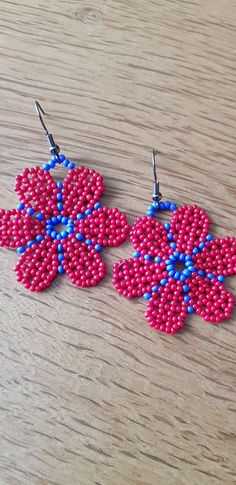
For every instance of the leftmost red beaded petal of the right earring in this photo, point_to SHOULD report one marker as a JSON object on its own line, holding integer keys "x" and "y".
{"x": 136, "y": 276}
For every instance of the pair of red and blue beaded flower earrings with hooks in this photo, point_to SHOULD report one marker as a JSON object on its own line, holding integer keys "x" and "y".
{"x": 61, "y": 227}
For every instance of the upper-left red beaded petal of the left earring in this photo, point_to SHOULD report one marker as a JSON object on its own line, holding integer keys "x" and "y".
{"x": 36, "y": 188}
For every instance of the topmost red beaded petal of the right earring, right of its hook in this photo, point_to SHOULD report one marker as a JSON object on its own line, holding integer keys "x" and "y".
{"x": 189, "y": 225}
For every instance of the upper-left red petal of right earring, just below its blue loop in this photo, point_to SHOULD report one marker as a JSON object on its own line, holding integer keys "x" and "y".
{"x": 149, "y": 236}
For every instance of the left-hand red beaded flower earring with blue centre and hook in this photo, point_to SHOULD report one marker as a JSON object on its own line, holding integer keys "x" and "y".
{"x": 60, "y": 226}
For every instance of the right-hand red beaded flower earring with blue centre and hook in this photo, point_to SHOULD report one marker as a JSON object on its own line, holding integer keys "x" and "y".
{"x": 177, "y": 267}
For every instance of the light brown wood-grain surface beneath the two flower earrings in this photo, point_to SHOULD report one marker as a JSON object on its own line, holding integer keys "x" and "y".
{"x": 89, "y": 394}
